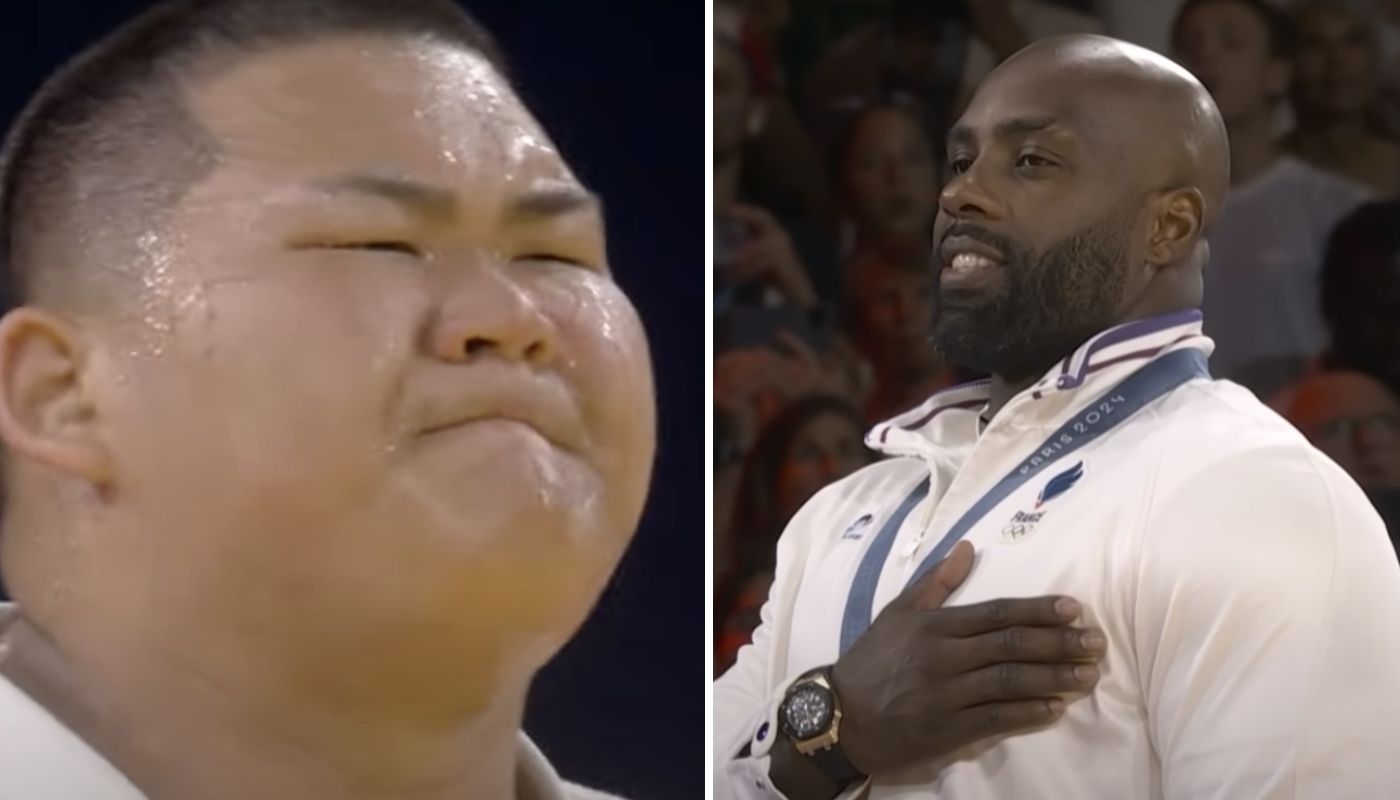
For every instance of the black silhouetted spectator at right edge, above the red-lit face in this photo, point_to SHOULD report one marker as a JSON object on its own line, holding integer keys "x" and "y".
{"x": 1361, "y": 294}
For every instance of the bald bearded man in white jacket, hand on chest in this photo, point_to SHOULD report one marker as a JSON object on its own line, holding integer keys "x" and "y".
{"x": 1101, "y": 574}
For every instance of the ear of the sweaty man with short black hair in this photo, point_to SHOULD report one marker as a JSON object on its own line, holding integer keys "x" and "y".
{"x": 47, "y": 413}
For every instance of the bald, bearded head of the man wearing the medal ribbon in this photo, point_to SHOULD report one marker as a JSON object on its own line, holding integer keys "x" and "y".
{"x": 1086, "y": 173}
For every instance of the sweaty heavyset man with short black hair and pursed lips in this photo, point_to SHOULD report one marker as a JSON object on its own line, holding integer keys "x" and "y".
{"x": 324, "y": 420}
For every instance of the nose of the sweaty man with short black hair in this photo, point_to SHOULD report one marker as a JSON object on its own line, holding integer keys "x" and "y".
{"x": 488, "y": 315}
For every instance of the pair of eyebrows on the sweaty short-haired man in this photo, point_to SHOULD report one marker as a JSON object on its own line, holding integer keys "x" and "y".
{"x": 541, "y": 201}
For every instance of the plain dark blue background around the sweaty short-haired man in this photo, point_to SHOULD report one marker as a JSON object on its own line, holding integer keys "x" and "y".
{"x": 621, "y": 88}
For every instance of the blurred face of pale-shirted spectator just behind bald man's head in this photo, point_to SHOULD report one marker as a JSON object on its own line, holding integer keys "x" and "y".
{"x": 1227, "y": 47}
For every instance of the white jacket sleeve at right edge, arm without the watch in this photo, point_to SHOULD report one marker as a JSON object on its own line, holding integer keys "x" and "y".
{"x": 1268, "y": 634}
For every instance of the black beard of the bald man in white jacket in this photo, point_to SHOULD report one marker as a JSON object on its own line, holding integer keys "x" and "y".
{"x": 1051, "y": 303}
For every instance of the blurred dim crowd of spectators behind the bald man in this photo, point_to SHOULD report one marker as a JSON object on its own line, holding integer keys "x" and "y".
{"x": 828, "y": 166}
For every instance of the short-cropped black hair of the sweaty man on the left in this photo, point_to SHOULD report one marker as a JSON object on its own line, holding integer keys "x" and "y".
{"x": 110, "y": 134}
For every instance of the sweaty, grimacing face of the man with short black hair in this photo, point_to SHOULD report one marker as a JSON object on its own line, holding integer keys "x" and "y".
{"x": 384, "y": 379}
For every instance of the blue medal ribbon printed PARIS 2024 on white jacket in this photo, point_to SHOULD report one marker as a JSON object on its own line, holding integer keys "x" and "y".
{"x": 1109, "y": 411}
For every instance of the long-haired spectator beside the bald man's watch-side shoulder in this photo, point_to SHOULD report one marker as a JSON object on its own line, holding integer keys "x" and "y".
{"x": 814, "y": 442}
